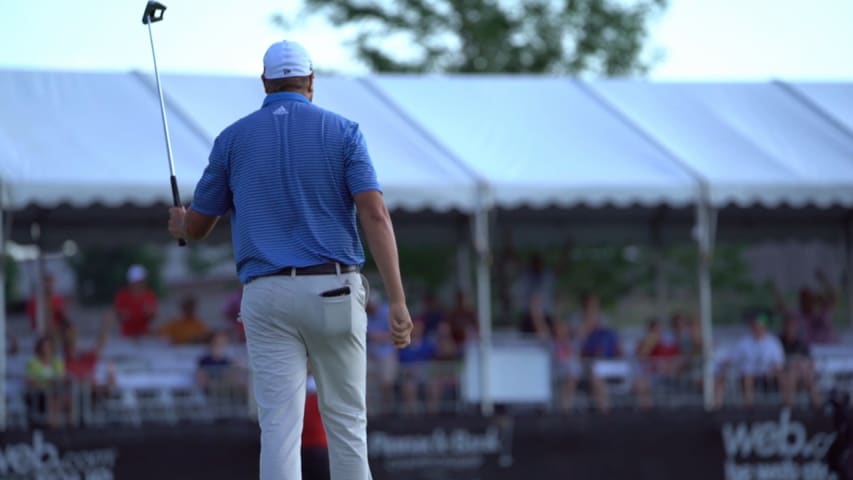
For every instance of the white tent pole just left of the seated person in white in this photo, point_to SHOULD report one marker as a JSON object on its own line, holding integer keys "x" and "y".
{"x": 705, "y": 232}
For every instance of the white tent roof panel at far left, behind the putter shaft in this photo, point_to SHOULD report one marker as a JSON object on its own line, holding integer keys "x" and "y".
{"x": 84, "y": 138}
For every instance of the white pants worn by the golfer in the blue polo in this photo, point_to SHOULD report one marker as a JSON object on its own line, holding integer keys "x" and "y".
{"x": 286, "y": 320}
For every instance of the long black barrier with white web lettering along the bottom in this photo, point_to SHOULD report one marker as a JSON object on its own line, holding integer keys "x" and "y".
{"x": 730, "y": 445}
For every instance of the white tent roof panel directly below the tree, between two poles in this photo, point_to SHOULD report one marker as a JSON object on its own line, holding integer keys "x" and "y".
{"x": 540, "y": 141}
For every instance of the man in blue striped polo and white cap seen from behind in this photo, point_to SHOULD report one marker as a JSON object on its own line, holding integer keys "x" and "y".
{"x": 293, "y": 177}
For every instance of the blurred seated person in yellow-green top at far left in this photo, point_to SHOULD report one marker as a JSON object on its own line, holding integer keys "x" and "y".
{"x": 48, "y": 399}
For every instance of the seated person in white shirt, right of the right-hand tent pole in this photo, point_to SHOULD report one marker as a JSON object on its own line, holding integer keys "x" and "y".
{"x": 757, "y": 359}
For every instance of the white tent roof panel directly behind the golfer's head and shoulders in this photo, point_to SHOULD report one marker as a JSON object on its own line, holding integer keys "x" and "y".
{"x": 414, "y": 172}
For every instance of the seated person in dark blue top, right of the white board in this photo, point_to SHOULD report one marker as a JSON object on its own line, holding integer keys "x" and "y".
{"x": 598, "y": 343}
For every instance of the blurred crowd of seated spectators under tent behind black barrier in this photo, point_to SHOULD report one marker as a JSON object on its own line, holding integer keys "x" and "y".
{"x": 137, "y": 368}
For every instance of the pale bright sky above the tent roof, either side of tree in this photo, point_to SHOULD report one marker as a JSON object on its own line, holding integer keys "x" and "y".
{"x": 697, "y": 39}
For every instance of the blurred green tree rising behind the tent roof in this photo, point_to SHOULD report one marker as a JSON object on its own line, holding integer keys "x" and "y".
{"x": 492, "y": 36}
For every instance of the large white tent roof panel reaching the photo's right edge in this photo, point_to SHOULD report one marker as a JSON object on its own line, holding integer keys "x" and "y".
{"x": 752, "y": 143}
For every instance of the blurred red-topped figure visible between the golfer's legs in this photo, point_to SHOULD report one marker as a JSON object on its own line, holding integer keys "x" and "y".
{"x": 315, "y": 446}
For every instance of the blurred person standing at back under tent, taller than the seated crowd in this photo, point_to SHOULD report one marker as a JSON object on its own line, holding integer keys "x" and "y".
{"x": 537, "y": 294}
